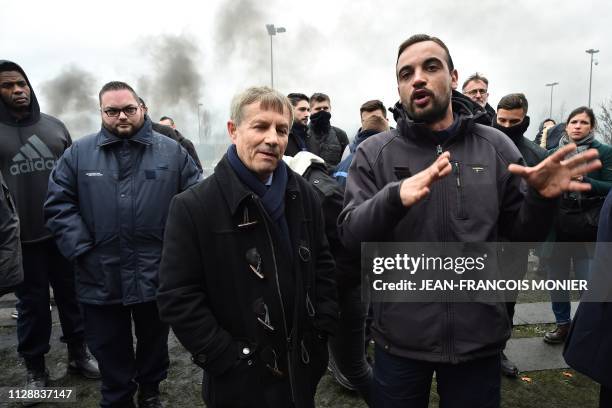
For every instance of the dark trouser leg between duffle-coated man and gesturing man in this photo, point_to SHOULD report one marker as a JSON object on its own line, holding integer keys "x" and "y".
{"x": 347, "y": 345}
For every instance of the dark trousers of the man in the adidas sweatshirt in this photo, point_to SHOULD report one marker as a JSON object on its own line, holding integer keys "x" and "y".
{"x": 43, "y": 265}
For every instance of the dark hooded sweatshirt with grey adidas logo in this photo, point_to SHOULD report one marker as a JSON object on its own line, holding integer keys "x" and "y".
{"x": 29, "y": 149}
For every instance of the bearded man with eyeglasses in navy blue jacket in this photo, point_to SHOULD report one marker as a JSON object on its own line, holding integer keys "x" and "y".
{"x": 106, "y": 205}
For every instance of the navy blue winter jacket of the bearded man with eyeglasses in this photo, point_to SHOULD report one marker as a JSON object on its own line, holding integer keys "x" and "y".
{"x": 107, "y": 204}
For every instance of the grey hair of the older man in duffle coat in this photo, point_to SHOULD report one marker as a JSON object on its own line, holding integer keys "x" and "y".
{"x": 268, "y": 98}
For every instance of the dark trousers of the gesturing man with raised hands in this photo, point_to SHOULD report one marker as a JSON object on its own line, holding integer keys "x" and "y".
{"x": 403, "y": 382}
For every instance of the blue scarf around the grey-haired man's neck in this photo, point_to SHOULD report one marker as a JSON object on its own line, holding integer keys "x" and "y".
{"x": 272, "y": 198}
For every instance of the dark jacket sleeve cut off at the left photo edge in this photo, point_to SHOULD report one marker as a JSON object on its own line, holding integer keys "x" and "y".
{"x": 11, "y": 272}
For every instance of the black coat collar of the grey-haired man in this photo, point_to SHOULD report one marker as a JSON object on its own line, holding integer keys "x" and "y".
{"x": 234, "y": 191}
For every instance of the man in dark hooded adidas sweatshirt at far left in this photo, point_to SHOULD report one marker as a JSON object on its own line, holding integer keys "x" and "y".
{"x": 31, "y": 144}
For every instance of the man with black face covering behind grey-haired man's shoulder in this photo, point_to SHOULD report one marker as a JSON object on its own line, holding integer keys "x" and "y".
{"x": 325, "y": 140}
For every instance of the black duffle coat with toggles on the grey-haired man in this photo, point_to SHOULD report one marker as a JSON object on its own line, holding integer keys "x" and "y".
{"x": 221, "y": 291}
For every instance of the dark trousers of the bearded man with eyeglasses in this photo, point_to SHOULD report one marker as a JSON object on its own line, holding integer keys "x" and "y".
{"x": 108, "y": 332}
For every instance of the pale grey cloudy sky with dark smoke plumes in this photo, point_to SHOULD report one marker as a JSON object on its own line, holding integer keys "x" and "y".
{"x": 346, "y": 49}
